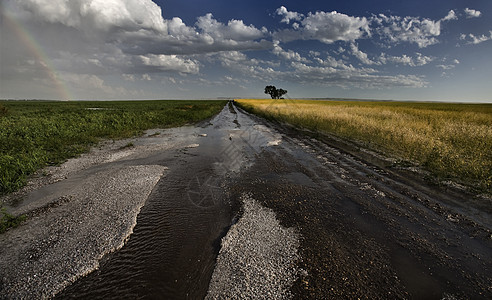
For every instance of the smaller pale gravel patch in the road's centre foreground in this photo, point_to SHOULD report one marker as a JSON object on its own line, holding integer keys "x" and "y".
{"x": 258, "y": 257}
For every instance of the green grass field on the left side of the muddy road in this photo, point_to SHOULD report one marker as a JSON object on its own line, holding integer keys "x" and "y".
{"x": 34, "y": 134}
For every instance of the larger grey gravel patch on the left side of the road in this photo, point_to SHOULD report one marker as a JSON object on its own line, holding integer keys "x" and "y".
{"x": 68, "y": 238}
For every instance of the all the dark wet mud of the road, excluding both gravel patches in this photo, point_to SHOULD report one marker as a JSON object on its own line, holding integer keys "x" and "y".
{"x": 365, "y": 229}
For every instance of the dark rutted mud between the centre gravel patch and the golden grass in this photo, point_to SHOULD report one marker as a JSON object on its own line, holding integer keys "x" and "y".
{"x": 369, "y": 231}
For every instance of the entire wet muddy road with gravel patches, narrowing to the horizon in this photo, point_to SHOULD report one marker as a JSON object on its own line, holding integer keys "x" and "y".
{"x": 238, "y": 207}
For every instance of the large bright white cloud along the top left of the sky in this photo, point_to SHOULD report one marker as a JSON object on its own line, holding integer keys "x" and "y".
{"x": 137, "y": 27}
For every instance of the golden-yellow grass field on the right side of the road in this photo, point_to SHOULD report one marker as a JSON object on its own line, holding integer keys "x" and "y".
{"x": 452, "y": 141}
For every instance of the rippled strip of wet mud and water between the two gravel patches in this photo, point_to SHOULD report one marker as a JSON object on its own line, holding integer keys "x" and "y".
{"x": 173, "y": 249}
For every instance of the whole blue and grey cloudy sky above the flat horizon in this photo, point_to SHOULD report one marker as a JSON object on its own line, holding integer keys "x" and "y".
{"x": 438, "y": 50}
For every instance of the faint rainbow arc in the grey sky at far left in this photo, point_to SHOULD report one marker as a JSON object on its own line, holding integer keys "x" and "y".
{"x": 35, "y": 48}
